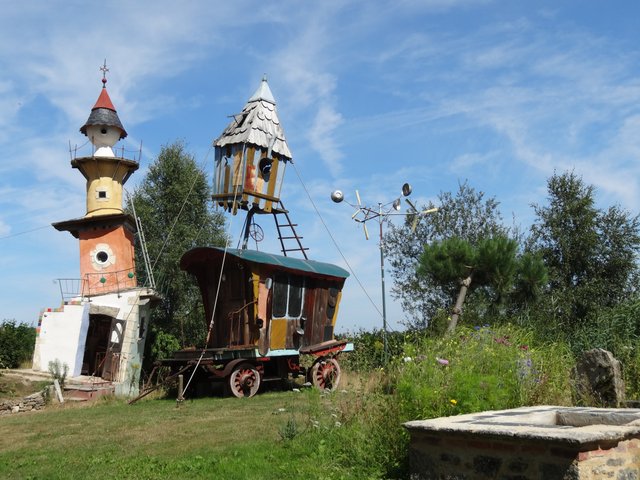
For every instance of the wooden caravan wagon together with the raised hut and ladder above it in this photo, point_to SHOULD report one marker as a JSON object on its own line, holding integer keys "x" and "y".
{"x": 262, "y": 311}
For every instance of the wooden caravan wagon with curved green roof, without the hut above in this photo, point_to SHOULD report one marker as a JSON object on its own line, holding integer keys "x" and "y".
{"x": 266, "y": 310}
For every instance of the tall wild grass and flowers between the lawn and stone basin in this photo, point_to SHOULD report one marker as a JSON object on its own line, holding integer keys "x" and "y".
{"x": 481, "y": 368}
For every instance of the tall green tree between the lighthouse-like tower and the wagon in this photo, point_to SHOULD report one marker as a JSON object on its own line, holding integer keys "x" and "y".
{"x": 174, "y": 204}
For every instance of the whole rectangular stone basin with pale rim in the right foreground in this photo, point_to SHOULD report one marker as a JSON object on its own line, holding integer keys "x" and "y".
{"x": 542, "y": 442}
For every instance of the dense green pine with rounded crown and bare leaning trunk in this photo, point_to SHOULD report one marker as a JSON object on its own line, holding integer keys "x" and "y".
{"x": 492, "y": 265}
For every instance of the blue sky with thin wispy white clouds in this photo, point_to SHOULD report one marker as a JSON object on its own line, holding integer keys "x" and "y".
{"x": 370, "y": 94}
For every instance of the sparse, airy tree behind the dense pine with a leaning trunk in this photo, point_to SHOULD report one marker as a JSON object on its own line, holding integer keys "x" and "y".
{"x": 467, "y": 215}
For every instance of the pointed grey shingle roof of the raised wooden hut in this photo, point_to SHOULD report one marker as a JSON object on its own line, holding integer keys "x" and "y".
{"x": 258, "y": 124}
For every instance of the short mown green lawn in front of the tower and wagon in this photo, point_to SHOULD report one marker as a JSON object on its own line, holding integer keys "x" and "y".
{"x": 203, "y": 438}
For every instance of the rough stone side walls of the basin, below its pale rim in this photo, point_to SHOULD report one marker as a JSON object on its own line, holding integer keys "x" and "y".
{"x": 456, "y": 457}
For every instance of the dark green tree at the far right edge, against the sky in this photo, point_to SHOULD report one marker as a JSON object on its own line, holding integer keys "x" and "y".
{"x": 590, "y": 253}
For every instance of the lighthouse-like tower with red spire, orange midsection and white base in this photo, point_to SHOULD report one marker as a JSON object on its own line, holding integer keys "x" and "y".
{"x": 101, "y": 327}
